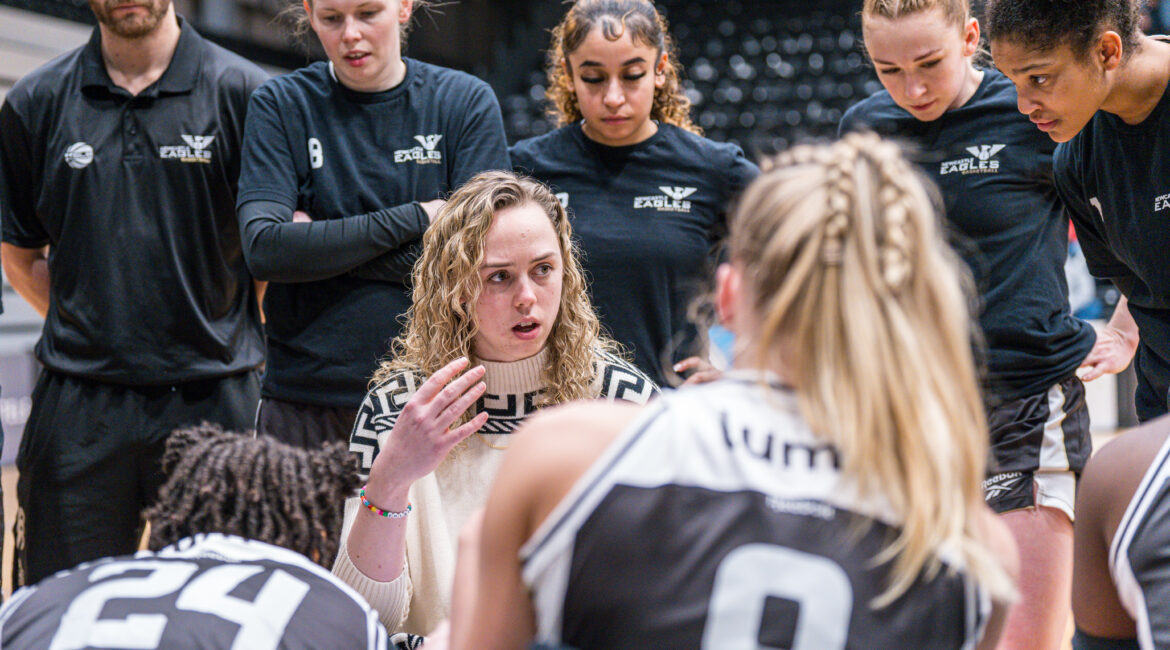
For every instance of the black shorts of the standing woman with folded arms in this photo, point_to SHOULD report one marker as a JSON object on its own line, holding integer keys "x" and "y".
{"x": 305, "y": 426}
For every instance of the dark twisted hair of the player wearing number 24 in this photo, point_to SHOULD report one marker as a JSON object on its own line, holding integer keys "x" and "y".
{"x": 258, "y": 488}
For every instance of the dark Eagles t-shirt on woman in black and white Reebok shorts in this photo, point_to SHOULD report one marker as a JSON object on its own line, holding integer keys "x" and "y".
{"x": 994, "y": 170}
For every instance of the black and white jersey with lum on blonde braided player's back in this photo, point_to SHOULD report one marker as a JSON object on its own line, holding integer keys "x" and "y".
{"x": 721, "y": 521}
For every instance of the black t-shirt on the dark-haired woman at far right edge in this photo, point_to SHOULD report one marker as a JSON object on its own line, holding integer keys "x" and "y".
{"x": 1116, "y": 182}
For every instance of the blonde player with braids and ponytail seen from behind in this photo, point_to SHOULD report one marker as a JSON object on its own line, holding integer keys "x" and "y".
{"x": 818, "y": 496}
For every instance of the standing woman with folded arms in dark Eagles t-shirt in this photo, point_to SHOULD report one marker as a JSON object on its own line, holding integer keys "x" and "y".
{"x": 345, "y": 165}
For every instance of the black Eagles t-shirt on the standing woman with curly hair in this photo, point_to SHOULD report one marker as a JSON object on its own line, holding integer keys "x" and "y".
{"x": 648, "y": 218}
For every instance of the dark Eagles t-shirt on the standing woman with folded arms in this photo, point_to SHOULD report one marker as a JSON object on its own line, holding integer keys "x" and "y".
{"x": 313, "y": 144}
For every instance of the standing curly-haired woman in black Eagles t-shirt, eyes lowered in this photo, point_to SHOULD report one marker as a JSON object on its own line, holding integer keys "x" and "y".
{"x": 648, "y": 193}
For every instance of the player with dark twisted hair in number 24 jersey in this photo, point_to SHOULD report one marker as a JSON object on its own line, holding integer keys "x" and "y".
{"x": 233, "y": 534}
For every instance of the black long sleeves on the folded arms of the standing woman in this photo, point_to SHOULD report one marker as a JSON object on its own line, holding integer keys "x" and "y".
{"x": 279, "y": 250}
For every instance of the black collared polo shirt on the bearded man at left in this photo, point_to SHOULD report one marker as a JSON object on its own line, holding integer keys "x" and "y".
{"x": 136, "y": 198}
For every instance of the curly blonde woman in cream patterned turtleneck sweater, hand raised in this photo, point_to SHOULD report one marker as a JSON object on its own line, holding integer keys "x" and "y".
{"x": 498, "y": 291}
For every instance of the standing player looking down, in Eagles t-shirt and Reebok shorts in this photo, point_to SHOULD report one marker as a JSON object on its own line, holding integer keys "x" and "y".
{"x": 994, "y": 171}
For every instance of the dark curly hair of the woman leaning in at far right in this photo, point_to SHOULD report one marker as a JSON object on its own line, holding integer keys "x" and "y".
{"x": 1045, "y": 25}
